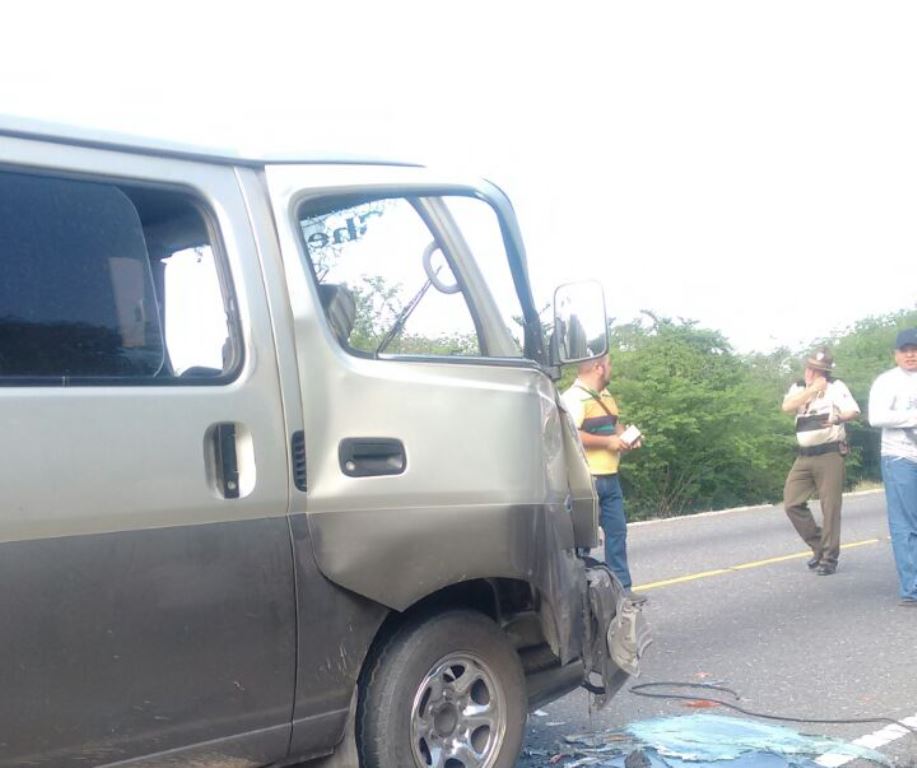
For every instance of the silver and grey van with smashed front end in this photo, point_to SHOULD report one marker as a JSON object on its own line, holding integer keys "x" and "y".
{"x": 285, "y": 475}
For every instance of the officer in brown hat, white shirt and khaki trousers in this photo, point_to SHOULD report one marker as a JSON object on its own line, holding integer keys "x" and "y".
{"x": 822, "y": 404}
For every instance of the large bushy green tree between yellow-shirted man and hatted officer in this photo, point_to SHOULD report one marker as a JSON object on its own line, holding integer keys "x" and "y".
{"x": 714, "y": 435}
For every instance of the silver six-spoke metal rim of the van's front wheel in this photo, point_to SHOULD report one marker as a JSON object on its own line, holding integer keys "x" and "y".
{"x": 458, "y": 719}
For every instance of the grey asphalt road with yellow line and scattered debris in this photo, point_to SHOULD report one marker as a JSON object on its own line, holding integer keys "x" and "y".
{"x": 732, "y": 602}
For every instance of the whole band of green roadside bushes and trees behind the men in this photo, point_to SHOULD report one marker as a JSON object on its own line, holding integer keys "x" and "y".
{"x": 715, "y": 435}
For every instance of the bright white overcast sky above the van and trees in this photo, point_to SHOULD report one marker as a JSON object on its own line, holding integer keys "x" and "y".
{"x": 748, "y": 165}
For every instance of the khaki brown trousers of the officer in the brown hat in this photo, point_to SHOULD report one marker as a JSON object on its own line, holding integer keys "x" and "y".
{"x": 824, "y": 474}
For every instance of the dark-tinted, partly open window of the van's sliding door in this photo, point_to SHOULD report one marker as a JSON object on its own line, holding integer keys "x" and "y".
{"x": 106, "y": 283}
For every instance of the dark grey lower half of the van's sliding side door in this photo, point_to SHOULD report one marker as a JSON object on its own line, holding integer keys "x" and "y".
{"x": 122, "y": 645}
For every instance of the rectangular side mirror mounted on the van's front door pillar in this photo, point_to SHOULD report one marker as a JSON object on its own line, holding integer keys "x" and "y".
{"x": 580, "y": 325}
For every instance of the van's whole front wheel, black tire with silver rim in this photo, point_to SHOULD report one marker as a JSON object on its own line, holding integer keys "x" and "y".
{"x": 445, "y": 691}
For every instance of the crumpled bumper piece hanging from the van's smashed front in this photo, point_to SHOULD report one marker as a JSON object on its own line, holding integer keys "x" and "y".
{"x": 617, "y": 634}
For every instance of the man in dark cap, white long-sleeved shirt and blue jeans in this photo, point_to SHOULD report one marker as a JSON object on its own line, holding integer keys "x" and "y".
{"x": 893, "y": 406}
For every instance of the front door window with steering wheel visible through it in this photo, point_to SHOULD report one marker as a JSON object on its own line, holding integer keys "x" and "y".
{"x": 393, "y": 278}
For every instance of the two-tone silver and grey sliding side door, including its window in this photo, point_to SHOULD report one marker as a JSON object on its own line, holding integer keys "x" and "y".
{"x": 144, "y": 546}
